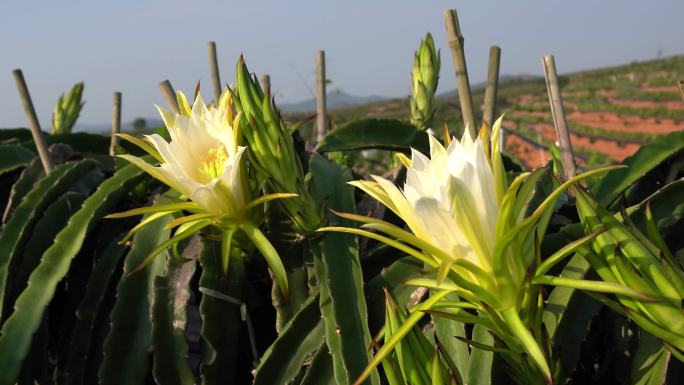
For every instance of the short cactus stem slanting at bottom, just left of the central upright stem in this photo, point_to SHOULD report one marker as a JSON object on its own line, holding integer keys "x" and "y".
{"x": 301, "y": 336}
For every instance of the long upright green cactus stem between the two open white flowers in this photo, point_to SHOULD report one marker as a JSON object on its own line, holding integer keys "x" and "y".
{"x": 338, "y": 271}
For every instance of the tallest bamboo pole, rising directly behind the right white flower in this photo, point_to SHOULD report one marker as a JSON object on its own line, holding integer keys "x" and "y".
{"x": 455, "y": 39}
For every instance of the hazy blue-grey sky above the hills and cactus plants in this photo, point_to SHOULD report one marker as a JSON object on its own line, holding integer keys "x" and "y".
{"x": 130, "y": 46}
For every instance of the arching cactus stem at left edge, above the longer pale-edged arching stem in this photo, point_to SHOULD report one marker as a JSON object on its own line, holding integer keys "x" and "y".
{"x": 18, "y": 229}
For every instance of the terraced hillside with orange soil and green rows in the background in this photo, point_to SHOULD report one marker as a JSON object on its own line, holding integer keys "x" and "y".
{"x": 610, "y": 111}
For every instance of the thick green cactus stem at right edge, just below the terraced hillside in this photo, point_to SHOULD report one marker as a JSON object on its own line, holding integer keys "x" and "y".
{"x": 639, "y": 164}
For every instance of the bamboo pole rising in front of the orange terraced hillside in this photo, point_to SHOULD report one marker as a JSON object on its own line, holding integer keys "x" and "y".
{"x": 558, "y": 113}
